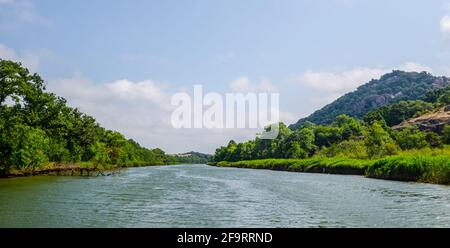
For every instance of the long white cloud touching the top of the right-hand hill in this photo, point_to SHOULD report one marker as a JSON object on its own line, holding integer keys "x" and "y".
{"x": 344, "y": 81}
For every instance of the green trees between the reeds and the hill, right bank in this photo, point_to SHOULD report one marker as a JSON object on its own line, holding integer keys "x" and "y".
{"x": 346, "y": 137}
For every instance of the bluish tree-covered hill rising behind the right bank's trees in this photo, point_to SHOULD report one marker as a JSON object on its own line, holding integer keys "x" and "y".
{"x": 391, "y": 88}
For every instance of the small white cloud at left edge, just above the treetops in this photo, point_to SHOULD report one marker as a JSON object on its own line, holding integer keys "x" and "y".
{"x": 28, "y": 59}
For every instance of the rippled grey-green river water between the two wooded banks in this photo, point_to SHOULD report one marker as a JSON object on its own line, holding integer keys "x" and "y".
{"x": 204, "y": 196}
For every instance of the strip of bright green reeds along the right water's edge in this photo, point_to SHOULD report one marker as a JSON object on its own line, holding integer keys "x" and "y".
{"x": 415, "y": 168}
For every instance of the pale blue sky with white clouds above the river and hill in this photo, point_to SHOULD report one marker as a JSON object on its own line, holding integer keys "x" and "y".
{"x": 121, "y": 61}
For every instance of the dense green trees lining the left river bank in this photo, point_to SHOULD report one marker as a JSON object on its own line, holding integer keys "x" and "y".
{"x": 37, "y": 127}
